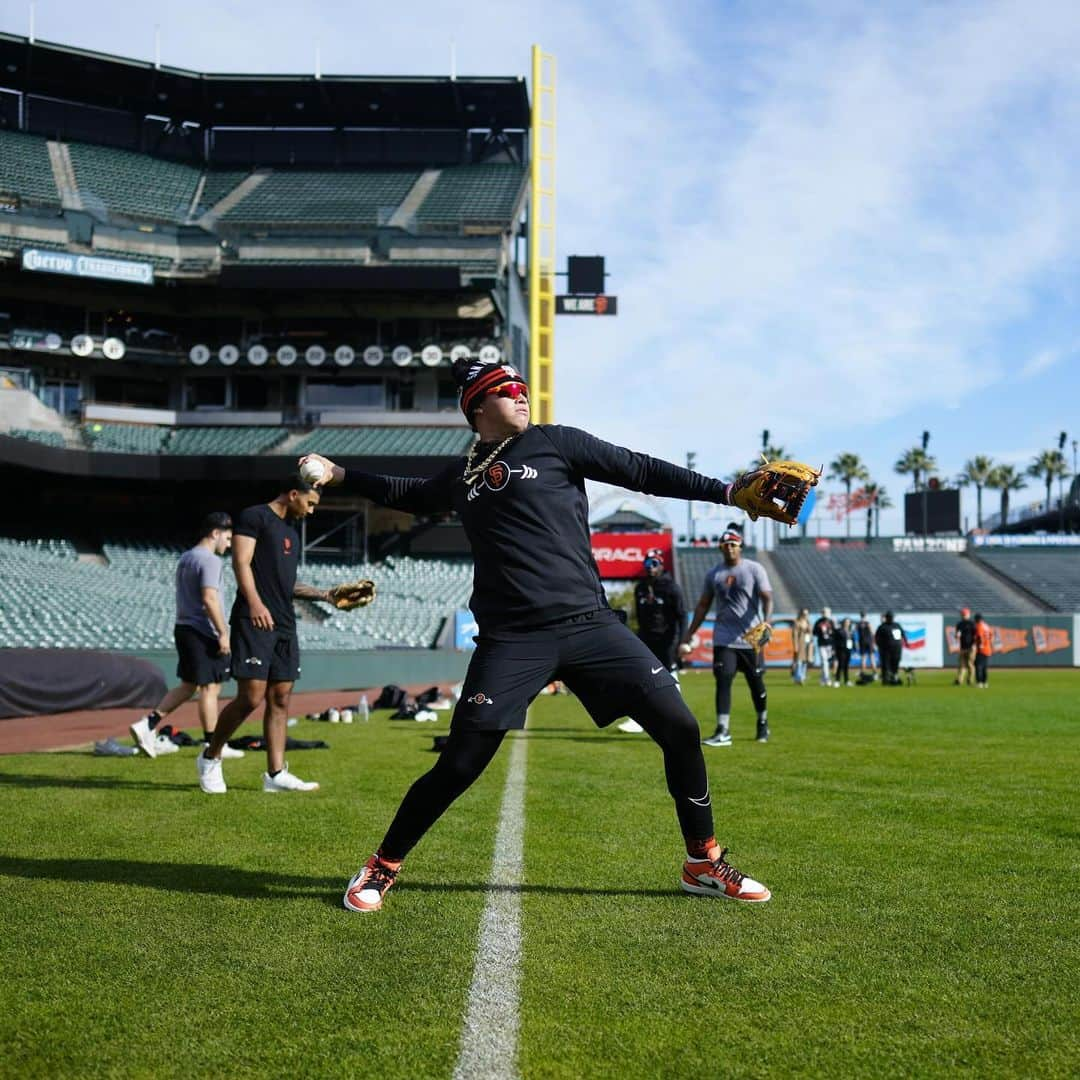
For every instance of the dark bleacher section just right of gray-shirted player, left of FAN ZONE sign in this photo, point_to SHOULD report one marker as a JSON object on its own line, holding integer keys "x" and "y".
{"x": 879, "y": 582}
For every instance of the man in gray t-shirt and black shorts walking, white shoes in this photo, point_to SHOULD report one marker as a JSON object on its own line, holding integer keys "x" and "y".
{"x": 201, "y": 637}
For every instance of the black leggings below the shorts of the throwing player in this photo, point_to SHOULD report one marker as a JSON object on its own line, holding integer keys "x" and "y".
{"x": 665, "y": 717}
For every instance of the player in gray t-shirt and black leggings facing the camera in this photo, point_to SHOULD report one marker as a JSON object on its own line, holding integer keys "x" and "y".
{"x": 744, "y": 598}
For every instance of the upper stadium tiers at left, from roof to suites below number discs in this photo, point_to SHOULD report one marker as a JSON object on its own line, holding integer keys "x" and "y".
{"x": 185, "y": 249}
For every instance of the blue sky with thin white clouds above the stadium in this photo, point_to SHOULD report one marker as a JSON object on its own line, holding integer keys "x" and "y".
{"x": 844, "y": 223}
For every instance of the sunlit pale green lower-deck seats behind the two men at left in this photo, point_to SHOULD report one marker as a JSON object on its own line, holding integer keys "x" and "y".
{"x": 50, "y": 600}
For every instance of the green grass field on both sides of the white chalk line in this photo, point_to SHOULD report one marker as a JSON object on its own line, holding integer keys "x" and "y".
{"x": 921, "y": 844}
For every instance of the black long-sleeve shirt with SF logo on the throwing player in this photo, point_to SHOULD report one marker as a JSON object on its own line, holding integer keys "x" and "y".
{"x": 528, "y": 519}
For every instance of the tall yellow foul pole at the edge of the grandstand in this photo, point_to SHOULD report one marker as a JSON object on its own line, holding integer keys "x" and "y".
{"x": 543, "y": 239}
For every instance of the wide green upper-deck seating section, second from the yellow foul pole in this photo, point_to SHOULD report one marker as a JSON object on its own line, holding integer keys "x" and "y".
{"x": 307, "y": 198}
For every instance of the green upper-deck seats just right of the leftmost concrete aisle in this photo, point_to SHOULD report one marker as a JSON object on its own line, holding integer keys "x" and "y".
{"x": 134, "y": 184}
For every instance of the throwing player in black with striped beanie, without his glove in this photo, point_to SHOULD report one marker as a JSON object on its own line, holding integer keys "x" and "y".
{"x": 543, "y": 616}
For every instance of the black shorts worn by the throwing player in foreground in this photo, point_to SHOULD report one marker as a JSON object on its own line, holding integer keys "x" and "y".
{"x": 597, "y": 656}
